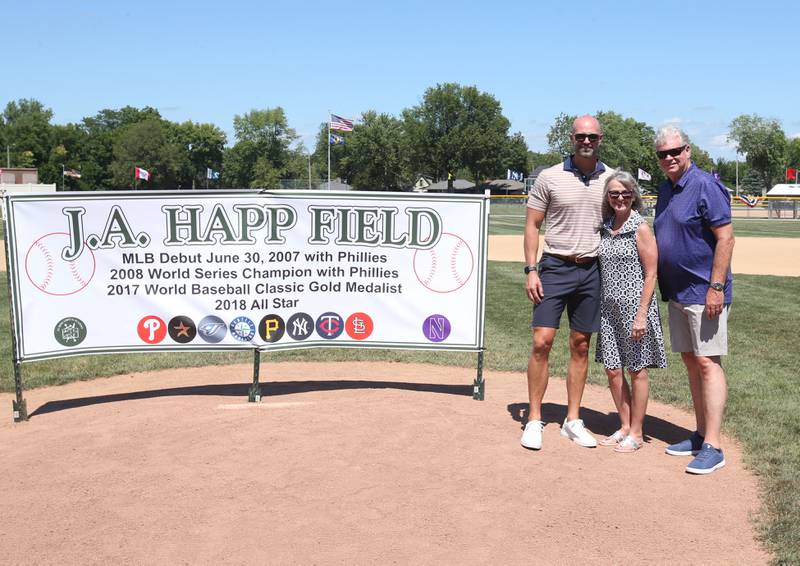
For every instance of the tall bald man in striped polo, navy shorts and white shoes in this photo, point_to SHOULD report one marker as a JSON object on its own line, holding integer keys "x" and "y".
{"x": 568, "y": 197}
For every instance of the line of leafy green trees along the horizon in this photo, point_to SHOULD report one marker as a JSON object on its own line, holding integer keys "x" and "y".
{"x": 455, "y": 131}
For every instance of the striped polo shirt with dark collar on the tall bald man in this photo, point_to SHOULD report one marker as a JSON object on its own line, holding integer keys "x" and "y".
{"x": 572, "y": 206}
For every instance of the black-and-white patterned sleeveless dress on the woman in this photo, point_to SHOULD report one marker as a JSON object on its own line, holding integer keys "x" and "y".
{"x": 622, "y": 277}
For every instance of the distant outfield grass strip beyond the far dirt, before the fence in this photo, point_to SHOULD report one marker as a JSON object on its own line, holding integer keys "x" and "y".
{"x": 507, "y": 218}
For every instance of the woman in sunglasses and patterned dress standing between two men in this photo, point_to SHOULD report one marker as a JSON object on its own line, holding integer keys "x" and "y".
{"x": 630, "y": 328}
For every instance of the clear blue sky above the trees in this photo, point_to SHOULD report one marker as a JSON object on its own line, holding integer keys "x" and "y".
{"x": 698, "y": 63}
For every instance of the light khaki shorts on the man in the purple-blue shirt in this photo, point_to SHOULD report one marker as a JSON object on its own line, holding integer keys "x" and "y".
{"x": 690, "y": 330}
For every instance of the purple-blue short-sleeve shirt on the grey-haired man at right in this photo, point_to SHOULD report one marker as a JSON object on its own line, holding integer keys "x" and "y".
{"x": 685, "y": 213}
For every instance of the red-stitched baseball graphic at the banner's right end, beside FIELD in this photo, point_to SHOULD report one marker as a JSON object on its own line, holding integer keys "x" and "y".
{"x": 447, "y": 266}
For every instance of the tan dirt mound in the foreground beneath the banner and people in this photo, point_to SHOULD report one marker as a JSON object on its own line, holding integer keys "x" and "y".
{"x": 350, "y": 463}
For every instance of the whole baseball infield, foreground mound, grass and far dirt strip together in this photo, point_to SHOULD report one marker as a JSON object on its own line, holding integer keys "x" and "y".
{"x": 361, "y": 457}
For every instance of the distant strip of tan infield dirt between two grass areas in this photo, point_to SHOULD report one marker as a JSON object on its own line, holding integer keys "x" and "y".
{"x": 753, "y": 256}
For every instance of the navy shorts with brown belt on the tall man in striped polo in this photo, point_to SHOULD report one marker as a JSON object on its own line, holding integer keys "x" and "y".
{"x": 566, "y": 284}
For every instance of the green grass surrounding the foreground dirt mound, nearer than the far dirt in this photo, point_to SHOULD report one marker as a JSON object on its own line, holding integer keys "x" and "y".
{"x": 764, "y": 397}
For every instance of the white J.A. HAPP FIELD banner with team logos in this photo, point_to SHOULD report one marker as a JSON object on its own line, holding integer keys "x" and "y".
{"x": 120, "y": 271}
